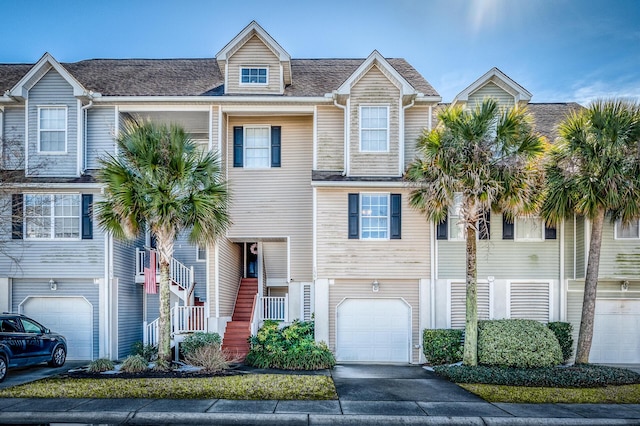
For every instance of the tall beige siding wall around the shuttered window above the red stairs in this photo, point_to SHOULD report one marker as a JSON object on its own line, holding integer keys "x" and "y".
{"x": 276, "y": 202}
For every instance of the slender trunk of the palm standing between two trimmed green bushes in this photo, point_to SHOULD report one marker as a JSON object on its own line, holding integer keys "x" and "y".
{"x": 470, "y": 355}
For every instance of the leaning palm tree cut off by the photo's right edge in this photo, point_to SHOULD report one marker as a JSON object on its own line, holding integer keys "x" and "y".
{"x": 593, "y": 171}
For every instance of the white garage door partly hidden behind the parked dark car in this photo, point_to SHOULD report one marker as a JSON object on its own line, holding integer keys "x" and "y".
{"x": 70, "y": 316}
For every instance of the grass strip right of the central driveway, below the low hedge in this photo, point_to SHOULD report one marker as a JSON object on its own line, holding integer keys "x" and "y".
{"x": 624, "y": 394}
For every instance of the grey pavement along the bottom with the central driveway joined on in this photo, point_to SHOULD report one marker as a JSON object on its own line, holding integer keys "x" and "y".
{"x": 368, "y": 395}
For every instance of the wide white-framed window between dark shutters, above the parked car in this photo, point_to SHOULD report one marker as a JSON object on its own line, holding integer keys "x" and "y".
{"x": 52, "y": 216}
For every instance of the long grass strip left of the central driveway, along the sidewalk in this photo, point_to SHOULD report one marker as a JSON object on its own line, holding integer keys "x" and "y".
{"x": 254, "y": 386}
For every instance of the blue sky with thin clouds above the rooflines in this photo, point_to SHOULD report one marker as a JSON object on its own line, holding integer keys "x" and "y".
{"x": 559, "y": 50}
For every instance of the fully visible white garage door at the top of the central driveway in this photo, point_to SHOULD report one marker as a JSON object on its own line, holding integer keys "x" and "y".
{"x": 373, "y": 330}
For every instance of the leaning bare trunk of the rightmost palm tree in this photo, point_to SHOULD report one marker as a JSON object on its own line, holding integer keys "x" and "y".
{"x": 585, "y": 335}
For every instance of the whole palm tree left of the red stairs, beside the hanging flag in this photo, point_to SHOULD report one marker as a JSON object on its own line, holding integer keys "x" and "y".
{"x": 161, "y": 181}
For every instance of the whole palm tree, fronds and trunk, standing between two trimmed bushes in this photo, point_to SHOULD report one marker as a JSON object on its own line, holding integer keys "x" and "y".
{"x": 486, "y": 158}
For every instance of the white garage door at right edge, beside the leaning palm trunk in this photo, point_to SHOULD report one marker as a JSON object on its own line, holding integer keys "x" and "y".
{"x": 616, "y": 332}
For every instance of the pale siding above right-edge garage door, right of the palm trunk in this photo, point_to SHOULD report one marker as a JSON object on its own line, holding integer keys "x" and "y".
{"x": 618, "y": 258}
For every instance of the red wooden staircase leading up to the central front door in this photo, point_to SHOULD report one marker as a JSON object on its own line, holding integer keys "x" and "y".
{"x": 239, "y": 328}
